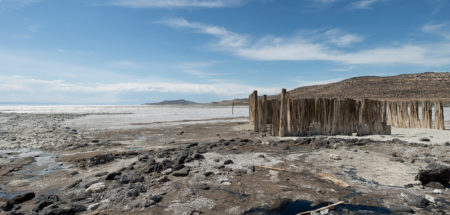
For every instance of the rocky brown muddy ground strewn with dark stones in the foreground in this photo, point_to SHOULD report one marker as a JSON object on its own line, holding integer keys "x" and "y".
{"x": 48, "y": 167}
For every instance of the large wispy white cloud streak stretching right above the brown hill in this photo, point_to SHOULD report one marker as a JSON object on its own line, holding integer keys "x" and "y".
{"x": 322, "y": 47}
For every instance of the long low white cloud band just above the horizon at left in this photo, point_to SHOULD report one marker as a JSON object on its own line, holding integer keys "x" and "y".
{"x": 31, "y": 86}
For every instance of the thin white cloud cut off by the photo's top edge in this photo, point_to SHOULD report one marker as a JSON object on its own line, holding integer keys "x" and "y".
{"x": 176, "y": 3}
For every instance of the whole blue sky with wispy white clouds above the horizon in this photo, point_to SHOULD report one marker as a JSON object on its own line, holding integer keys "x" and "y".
{"x": 138, "y": 51}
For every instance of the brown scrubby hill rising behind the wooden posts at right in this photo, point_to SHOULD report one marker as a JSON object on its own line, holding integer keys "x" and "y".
{"x": 427, "y": 85}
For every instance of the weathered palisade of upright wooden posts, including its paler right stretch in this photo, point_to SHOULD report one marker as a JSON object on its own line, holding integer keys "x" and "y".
{"x": 322, "y": 116}
